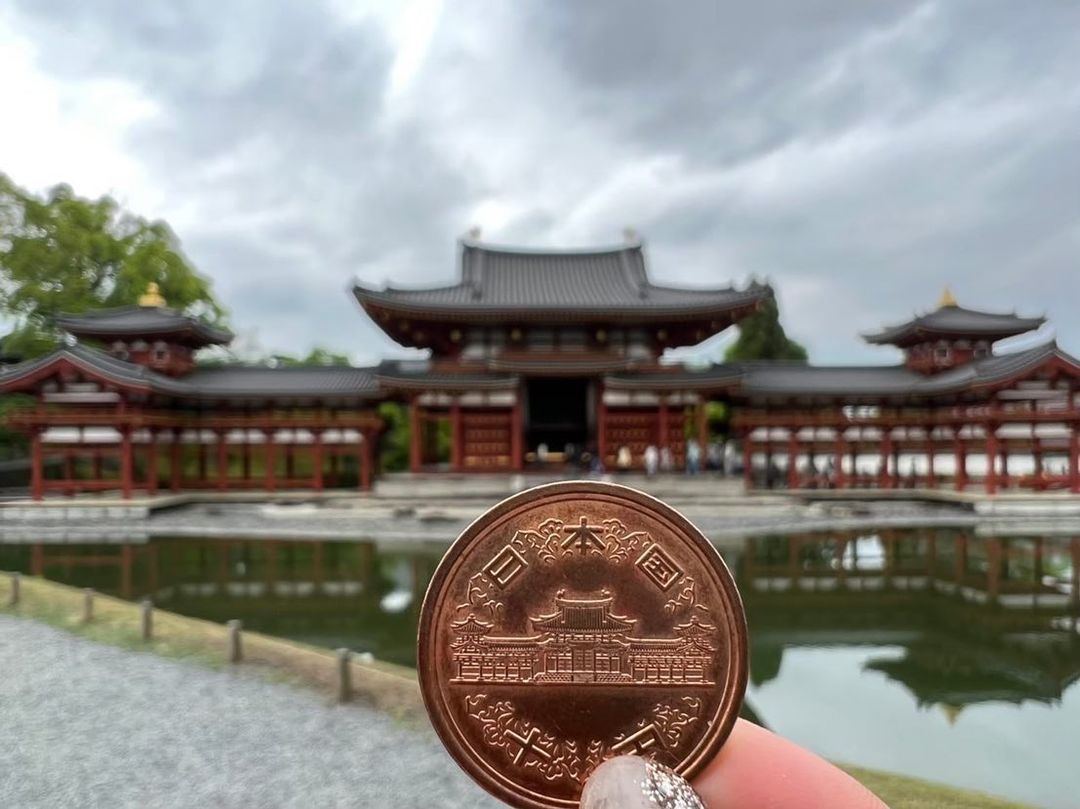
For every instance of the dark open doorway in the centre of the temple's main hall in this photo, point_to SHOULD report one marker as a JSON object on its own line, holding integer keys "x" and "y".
{"x": 558, "y": 417}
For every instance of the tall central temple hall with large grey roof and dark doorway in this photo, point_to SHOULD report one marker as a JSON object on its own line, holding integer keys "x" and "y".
{"x": 536, "y": 355}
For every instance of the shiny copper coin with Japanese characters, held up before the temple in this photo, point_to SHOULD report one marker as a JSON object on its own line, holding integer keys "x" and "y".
{"x": 575, "y": 623}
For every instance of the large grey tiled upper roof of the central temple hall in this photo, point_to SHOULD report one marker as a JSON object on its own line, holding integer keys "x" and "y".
{"x": 559, "y": 282}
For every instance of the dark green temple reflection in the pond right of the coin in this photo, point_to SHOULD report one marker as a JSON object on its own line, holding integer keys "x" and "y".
{"x": 974, "y": 619}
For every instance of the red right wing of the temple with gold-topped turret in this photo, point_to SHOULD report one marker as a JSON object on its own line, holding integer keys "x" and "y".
{"x": 953, "y": 397}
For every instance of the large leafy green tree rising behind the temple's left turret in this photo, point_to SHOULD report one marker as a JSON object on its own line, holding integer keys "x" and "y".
{"x": 63, "y": 253}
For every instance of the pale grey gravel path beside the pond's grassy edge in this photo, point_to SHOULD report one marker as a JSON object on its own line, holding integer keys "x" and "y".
{"x": 86, "y": 726}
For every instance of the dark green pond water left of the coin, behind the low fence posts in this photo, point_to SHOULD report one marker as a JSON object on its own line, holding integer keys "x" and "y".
{"x": 331, "y": 594}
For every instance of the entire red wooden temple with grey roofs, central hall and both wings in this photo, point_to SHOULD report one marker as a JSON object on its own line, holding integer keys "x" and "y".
{"x": 536, "y": 358}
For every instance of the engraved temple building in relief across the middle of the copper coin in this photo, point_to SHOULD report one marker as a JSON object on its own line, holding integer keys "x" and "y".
{"x": 583, "y": 641}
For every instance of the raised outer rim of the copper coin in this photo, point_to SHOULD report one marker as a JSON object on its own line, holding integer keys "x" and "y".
{"x": 727, "y": 712}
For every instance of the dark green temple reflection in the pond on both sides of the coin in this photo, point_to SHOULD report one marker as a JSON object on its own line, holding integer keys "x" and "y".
{"x": 966, "y": 618}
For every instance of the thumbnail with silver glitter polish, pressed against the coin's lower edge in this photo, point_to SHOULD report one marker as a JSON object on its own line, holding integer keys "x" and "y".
{"x": 631, "y": 783}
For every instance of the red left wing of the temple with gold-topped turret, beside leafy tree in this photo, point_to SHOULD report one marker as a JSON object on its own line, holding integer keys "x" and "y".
{"x": 137, "y": 413}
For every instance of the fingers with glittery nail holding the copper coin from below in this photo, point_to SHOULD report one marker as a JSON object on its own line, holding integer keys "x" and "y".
{"x": 755, "y": 770}
